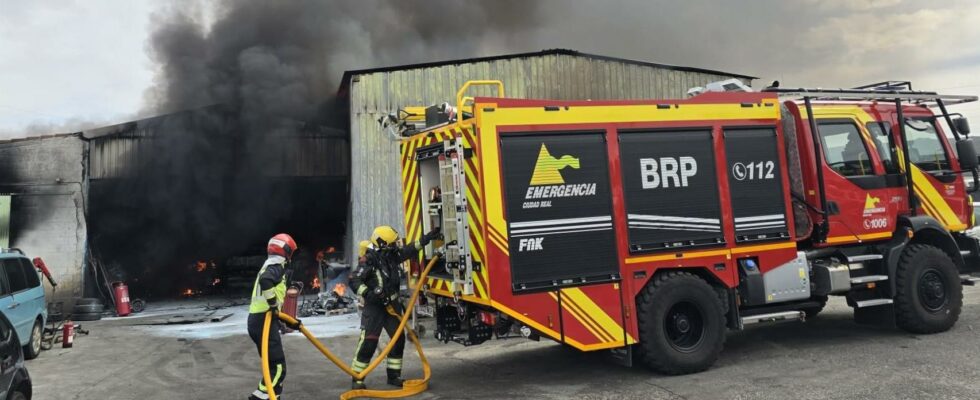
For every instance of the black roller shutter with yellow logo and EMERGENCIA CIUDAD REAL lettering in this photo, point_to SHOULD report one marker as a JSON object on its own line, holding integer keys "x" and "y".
{"x": 559, "y": 210}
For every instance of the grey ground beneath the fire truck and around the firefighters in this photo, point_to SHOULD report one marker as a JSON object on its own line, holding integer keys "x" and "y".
{"x": 828, "y": 357}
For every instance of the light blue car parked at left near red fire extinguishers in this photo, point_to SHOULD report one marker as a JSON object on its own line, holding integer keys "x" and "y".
{"x": 22, "y": 299}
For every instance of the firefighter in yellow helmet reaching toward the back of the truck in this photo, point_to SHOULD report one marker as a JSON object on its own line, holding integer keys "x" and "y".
{"x": 377, "y": 279}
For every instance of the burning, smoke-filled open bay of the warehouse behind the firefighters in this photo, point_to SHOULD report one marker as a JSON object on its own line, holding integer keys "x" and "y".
{"x": 183, "y": 204}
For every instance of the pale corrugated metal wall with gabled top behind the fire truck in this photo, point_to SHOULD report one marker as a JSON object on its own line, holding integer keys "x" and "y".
{"x": 375, "y": 185}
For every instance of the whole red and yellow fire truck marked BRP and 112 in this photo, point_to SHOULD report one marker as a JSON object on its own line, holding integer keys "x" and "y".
{"x": 651, "y": 228}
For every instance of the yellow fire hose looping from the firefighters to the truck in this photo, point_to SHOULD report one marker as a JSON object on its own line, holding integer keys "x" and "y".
{"x": 411, "y": 386}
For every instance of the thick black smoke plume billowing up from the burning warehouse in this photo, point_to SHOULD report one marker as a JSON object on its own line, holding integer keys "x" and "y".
{"x": 244, "y": 95}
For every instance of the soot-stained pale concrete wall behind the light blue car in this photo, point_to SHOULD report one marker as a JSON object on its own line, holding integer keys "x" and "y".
{"x": 46, "y": 180}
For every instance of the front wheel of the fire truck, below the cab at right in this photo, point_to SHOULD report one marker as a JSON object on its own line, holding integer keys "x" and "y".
{"x": 929, "y": 294}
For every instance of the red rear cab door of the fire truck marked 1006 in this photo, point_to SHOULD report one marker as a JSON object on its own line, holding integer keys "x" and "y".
{"x": 861, "y": 193}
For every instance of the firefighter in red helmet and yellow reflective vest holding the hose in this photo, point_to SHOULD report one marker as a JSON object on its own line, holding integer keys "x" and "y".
{"x": 268, "y": 294}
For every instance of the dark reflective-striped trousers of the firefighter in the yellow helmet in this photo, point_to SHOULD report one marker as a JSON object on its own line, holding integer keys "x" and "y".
{"x": 374, "y": 318}
